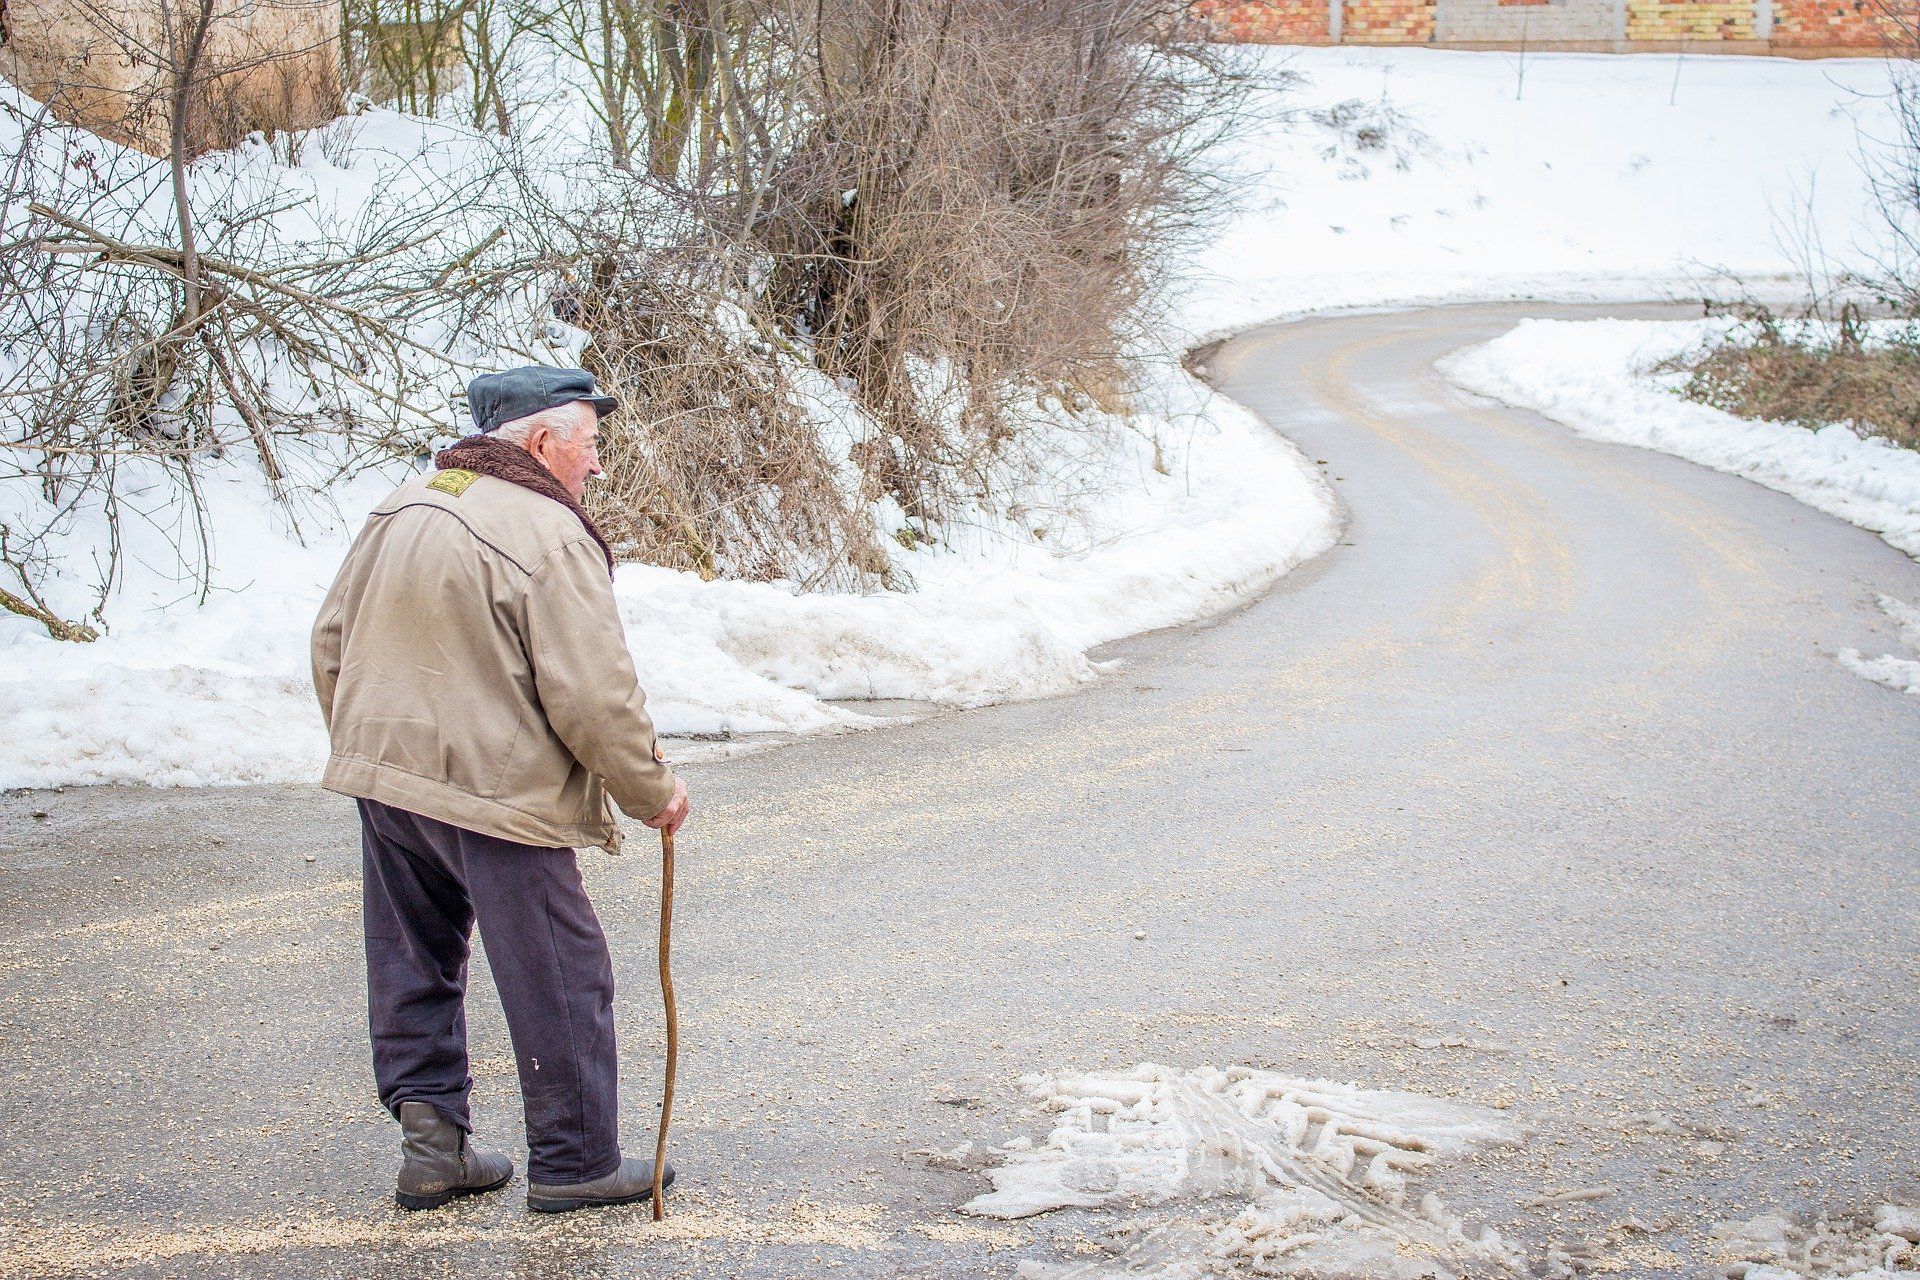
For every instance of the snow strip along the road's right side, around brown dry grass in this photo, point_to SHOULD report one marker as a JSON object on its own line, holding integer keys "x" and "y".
{"x": 1593, "y": 375}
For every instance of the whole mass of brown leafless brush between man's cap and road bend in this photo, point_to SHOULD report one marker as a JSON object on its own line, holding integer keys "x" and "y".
{"x": 948, "y": 206}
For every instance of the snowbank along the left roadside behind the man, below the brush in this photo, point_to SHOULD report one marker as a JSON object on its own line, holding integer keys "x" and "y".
{"x": 189, "y": 696}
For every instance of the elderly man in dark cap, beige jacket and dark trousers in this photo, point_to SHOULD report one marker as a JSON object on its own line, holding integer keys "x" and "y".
{"x": 483, "y": 709}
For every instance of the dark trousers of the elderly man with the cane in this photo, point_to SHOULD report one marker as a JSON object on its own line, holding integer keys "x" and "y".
{"x": 427, "y": 884}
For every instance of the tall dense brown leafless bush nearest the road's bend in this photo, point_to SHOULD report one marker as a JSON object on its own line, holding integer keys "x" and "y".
{"x": 986, "y": 189}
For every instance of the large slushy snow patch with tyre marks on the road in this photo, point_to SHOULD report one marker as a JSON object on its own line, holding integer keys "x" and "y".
{"x": 1274, "y": 1175}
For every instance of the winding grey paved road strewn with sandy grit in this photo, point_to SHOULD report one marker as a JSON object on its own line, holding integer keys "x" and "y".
{"x": 1548, "y": 757}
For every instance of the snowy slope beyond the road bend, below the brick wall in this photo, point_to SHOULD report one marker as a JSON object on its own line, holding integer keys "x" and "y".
{"x": 1401, "y": 178}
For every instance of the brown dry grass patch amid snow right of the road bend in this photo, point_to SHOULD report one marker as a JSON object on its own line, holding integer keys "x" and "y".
{"x": 1810, "y": 375}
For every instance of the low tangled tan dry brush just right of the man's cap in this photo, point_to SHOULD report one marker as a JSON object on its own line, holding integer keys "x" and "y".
{"x": 719, "y": 462}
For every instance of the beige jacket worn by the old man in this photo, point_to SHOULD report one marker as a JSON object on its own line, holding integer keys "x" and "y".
{"x": 471, "y": 667}
